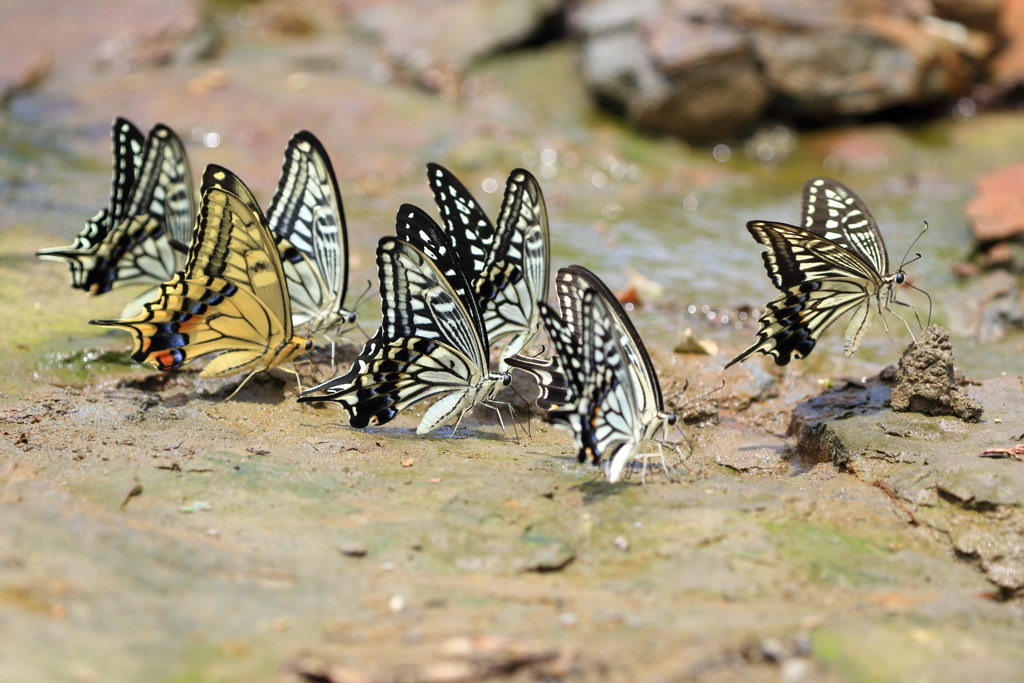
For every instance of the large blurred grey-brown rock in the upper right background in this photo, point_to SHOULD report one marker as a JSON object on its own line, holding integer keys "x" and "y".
{"x": 706, "y": 71}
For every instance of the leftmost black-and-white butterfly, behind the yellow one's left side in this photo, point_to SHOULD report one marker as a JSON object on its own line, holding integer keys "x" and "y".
{"x": 143, "y": 236}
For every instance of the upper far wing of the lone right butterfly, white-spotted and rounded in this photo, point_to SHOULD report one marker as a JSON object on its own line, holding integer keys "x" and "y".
{"x": 834, "y": 211}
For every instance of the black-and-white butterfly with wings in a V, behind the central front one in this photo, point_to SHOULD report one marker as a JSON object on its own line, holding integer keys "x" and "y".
{"x": 508, "y": 264}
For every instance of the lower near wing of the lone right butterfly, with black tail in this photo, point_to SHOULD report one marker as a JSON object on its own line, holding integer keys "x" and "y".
{"x": 820, "y": 281}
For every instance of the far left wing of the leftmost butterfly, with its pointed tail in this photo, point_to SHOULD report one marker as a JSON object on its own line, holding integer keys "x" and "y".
{"x": 127, "y": 143}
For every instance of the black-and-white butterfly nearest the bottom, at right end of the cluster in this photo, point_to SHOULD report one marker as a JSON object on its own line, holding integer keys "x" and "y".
{"x": 602, "y": 385}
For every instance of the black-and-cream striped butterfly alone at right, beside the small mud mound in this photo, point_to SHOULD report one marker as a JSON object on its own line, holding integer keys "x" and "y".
{"x": 835, "y": 264}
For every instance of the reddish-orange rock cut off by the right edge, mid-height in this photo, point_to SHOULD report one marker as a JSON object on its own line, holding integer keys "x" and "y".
{"x": 998, "y": 212}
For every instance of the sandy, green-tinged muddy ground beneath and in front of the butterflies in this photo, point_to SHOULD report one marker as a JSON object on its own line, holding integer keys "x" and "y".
{"x": 152, "y": 533}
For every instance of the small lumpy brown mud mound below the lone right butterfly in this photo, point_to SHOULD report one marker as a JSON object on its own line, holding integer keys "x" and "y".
{"x": 925, "y": 380}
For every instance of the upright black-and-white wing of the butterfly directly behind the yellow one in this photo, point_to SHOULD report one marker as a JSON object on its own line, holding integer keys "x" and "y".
{"x": 308, "y": 218}
